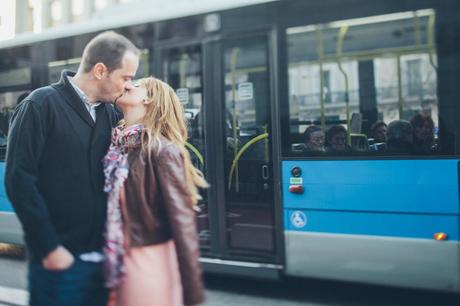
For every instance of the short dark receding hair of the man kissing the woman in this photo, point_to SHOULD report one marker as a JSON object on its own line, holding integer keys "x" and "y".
{"x": 108, "y": 48}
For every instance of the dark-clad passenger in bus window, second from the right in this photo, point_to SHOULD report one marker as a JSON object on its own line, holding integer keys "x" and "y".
{"x": 400, "y": 139}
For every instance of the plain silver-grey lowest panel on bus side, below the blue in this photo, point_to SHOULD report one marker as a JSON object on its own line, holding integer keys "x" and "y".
{"x": 417, "y": 263}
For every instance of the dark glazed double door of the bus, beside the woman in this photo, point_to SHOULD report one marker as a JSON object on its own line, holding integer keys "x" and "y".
{"x": 224, "y": 87}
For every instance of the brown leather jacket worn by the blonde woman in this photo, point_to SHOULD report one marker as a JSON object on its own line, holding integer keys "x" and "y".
{"x": 158, "y": 208}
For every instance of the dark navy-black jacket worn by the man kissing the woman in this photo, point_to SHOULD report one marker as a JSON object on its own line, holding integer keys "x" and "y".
{"x": 54, "y": 175}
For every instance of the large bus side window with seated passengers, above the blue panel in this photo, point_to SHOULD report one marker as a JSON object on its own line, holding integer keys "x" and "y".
{"x": 342, "y": 71}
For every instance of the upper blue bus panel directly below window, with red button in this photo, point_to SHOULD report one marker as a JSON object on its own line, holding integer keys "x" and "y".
{"x": 421, "y": 186}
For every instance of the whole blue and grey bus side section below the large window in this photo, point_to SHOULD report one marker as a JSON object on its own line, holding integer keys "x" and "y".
{"x": 374, "y": 221}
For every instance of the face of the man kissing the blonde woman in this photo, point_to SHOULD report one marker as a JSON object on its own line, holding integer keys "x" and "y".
{"x": 118, "y": 81}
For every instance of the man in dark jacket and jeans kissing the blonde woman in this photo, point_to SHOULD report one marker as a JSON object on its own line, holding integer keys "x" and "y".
{"x": 54, "y": 179}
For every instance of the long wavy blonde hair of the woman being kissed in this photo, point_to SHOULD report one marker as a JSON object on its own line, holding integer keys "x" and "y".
{"x": 165, "y": 117}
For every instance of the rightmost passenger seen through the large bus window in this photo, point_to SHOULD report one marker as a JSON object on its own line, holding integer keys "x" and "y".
{"x": 423, "y": 134}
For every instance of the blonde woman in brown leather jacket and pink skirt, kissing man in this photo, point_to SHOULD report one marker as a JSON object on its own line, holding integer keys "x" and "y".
{"x": 152, "y": 189}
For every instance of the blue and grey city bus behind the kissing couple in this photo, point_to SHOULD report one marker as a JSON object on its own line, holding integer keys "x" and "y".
{"x": 328, "y": 130}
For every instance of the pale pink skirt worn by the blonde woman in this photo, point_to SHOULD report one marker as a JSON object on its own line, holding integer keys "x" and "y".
{"x": 151, "y": 278}
